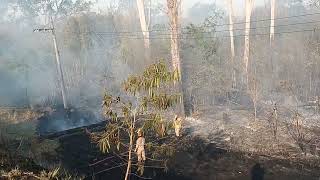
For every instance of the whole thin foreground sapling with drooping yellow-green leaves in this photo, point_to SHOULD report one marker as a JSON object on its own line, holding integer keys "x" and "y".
{"x": 148, "y": 97}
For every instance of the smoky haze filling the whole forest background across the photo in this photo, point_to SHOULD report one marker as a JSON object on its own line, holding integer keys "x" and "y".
{"x": 94, "y": 59}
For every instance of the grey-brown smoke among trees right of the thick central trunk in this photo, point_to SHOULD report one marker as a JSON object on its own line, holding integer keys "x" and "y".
{"x": 287, "y": 62}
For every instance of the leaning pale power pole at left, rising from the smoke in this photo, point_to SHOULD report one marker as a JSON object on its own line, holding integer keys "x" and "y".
{"x": 62, "y": 83}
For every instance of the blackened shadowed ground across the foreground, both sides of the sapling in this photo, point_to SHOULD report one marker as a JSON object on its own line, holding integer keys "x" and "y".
{"x": 195, "y": 159}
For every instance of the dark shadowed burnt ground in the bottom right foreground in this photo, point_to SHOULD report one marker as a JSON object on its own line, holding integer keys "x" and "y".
{"x": 207, "y": 161}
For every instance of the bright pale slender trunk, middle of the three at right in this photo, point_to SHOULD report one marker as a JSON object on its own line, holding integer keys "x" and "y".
{"x": 248, "y": 9}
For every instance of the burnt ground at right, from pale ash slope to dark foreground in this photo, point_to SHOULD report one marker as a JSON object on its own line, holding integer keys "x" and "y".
{"x": 236, "y": 143}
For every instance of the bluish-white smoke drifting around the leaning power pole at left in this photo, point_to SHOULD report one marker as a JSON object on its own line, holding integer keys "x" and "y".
{"x": 90, "y": 63}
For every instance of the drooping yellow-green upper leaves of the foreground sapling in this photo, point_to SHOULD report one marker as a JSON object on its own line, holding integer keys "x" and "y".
{"x": 155, "y": 79}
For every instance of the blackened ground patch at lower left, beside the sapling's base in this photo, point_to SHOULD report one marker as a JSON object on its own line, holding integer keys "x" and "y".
{"x": 78, "y": 154}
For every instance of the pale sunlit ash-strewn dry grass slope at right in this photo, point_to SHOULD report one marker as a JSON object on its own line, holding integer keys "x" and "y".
{"x": 240, "y": 132}
